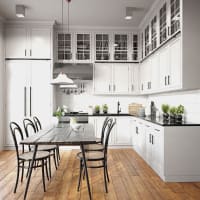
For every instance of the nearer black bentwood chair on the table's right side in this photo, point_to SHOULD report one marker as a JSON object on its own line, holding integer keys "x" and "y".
{"x": 97, "y": 159}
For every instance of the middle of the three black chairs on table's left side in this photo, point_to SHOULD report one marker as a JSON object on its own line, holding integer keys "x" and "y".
{"x": 29, "y": 125}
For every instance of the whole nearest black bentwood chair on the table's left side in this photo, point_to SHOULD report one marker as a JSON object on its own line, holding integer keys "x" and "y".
{"x": 23, "y": 157}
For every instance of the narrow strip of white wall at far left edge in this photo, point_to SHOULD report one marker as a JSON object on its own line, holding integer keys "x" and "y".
{"x": 1, "y": 84}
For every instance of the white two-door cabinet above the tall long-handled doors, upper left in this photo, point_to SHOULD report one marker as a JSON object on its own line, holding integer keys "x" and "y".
{"x": 27, "y": 42}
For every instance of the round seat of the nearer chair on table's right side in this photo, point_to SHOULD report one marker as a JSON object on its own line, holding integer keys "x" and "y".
{"x": 92, "y": 155}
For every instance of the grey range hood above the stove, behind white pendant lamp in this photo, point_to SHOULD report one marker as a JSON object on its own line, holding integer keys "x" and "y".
{"x": 74, "y": 71}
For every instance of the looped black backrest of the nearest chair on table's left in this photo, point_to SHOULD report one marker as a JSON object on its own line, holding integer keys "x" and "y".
{"x": 16, "y": 134}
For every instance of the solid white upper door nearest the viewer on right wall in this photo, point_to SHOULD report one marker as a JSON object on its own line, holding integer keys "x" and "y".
{"x": 174, "y": 77}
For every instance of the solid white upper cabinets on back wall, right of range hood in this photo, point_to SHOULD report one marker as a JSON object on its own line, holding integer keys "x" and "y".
{"x": 117, "y": 78}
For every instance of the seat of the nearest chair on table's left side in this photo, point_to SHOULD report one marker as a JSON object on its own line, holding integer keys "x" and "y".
{"x": 29, "y": 155}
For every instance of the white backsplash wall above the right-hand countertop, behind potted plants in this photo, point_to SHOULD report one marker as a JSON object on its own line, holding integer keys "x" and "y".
{"x": 189, "y": 99}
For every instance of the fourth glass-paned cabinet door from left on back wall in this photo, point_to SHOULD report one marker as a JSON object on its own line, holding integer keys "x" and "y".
{"x": 121, "y": 47}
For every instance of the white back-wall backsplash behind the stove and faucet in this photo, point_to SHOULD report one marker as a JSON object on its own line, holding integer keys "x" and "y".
{"x": 82, "y": 101}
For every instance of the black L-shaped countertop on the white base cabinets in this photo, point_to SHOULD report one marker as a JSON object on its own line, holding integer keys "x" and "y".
{"x": 148, "y": 119}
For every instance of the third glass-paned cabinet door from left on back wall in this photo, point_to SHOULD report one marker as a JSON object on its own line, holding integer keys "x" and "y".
{"x": 102, "y": 47}
